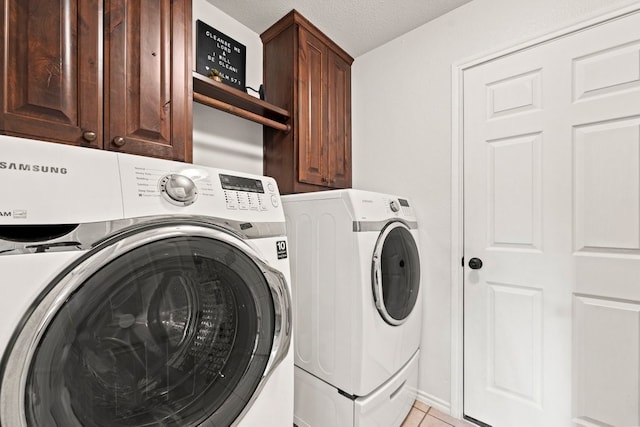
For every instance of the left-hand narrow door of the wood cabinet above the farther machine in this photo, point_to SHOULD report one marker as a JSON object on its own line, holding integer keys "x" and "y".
{"x": 312, "y": 126}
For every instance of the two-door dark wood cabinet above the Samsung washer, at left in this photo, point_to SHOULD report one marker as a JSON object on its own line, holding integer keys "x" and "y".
{"x": 111, "y": 74}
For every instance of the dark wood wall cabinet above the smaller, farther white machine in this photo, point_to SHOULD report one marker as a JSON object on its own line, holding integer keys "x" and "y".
{"x": 309, "y": 75}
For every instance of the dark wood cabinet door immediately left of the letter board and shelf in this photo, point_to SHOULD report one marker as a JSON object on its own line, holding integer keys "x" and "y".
{"x": 148, "y": 78}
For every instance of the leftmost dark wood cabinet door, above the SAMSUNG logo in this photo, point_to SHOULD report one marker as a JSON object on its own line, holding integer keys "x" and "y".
{"x": 51, "y": 62}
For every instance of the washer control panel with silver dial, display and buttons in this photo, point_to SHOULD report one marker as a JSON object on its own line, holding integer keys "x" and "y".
{"x": 151, "y": 186}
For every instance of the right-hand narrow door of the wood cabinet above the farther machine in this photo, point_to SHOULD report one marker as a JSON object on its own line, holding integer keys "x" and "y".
{"x": 339, "y": 126}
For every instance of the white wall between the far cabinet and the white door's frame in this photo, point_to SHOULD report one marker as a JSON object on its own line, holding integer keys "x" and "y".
{"x": 402, "y": 109}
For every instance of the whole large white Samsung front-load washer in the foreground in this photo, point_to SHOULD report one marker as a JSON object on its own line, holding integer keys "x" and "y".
{"x": 139, "y": 291}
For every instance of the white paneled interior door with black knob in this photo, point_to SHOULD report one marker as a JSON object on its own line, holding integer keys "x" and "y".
{"x": 552, "y": 209}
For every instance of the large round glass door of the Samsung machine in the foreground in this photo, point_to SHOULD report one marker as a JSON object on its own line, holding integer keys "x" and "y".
{"x": 165, "y": 325}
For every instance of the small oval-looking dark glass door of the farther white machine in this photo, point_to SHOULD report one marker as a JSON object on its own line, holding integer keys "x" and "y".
{"x": 395, "y": 273}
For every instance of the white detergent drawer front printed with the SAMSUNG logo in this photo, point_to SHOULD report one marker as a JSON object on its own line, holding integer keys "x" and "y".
{"x": 47, "y": 183}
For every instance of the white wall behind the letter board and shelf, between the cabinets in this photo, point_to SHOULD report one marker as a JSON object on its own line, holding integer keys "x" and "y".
{"x": 221, "y": 139}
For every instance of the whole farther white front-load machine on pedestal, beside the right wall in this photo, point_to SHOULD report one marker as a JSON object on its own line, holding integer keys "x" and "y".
{"x": 357, "y": 303}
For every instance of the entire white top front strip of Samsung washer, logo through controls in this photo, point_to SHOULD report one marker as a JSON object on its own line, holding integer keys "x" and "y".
{"x": 49, "y": 183}
